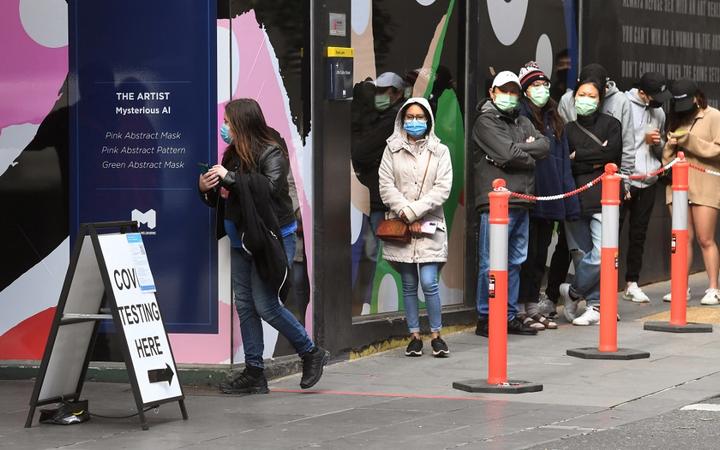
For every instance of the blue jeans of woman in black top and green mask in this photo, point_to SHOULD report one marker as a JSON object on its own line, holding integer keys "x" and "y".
{"x": 584, "y": 242}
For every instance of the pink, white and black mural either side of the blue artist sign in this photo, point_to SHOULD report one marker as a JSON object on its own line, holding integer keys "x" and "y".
{"x": 34, "y": 247}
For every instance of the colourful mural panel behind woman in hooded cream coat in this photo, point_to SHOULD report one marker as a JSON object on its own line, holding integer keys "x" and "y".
{"x": 424, "y": 51}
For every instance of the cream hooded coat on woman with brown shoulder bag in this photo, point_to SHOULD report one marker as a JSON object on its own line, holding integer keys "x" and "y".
{"x": 401, "y": 174}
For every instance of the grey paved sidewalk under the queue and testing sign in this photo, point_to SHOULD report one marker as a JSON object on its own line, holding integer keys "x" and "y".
{"x": 390, "y": 401}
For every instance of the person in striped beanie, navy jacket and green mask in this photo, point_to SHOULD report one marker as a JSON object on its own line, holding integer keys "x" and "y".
{"x": 553, "y": 176}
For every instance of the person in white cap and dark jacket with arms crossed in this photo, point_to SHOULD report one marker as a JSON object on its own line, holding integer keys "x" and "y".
{"x": 506, "y": 146}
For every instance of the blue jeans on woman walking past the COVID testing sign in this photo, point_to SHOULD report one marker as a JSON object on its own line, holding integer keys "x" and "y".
{"x": 255, "y": 300}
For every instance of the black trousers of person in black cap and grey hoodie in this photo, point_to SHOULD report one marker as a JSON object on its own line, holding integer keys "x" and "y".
{"x": 639, "y": 207}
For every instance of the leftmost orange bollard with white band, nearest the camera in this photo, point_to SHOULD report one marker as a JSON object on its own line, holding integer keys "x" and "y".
{"x": 497, "y": 381}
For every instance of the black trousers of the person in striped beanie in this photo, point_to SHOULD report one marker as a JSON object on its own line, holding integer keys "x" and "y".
{"x": 533, "y": 269}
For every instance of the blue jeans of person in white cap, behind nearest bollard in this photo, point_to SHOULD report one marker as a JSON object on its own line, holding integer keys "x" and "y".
{"x": 518, "y": 229}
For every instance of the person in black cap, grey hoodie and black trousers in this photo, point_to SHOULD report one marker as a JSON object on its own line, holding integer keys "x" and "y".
{"x": 646, "y": 102}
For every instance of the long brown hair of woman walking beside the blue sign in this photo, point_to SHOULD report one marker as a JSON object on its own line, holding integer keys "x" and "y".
{"x": 251, "y": 134}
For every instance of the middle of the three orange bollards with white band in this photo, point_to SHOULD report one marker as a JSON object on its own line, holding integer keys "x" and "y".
{"x": 608, "y": 349}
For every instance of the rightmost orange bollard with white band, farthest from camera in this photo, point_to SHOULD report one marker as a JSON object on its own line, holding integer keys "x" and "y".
{"x": 678, "y": 258}
